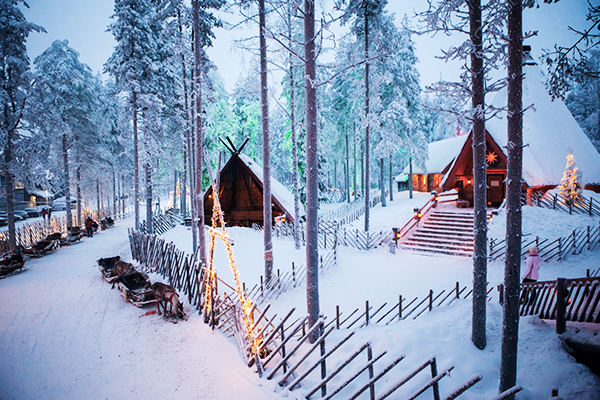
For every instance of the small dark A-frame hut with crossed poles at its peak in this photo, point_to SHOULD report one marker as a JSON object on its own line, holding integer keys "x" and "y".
{"x": 241, "y": 194}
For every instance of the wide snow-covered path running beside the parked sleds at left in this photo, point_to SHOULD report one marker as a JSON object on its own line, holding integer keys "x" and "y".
{"x": 65, "y": 334}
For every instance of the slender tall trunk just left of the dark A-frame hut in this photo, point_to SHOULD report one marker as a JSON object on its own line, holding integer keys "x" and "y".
{"x": 199, "y": 136}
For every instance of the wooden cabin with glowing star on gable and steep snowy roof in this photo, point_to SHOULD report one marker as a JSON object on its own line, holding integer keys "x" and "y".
{"x": 550, "y": 133}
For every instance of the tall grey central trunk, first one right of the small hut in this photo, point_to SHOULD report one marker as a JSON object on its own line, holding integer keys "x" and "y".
{"x": 312, "y": 170}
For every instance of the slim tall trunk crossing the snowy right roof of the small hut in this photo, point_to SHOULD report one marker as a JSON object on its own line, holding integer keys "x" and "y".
{"x": 264, "y": 99}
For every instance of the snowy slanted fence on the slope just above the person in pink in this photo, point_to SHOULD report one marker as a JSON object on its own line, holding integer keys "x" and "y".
{"x": 580, "y": 239}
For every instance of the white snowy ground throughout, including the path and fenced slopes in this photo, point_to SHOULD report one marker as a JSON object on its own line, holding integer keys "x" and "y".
{"x": 66, "y": 334}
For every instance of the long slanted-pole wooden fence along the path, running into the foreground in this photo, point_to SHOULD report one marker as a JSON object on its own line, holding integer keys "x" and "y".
{"x": 281, "y": 349}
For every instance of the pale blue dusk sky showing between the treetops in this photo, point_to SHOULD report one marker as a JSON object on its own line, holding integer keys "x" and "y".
{"x": 83, "y": 23}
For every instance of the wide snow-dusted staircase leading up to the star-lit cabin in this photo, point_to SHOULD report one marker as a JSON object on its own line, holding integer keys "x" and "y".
{"x": 445, "y": 231}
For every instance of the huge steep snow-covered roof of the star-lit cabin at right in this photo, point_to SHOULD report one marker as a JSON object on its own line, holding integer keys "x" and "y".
{"x": 549, "y": 133}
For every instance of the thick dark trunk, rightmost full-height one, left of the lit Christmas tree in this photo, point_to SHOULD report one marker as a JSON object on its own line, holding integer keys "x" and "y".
{"x": 512, "y": 266}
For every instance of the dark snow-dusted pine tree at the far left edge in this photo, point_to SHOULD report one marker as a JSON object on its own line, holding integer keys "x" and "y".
{"x": 14, "y": 64}
